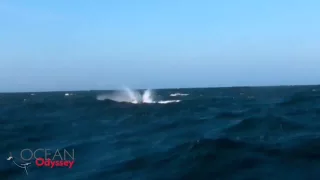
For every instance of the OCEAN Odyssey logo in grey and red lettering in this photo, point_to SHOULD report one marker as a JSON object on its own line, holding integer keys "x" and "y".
{"x": 43, "y": 158}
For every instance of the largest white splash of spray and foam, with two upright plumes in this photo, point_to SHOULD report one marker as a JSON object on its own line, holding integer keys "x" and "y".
{"x": 132, "y": 96}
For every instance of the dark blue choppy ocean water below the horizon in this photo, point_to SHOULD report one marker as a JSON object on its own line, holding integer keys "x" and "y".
{"x": 241, "y": 133}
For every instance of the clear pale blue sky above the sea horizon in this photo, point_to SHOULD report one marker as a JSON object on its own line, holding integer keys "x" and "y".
{"x": 103, "y": 44}
